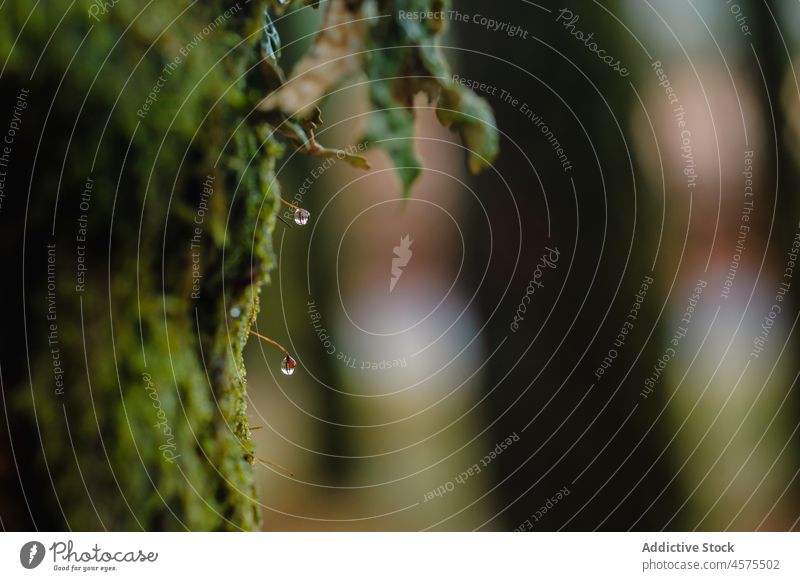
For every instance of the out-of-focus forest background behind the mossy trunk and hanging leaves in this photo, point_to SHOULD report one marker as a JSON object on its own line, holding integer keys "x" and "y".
{"x": 599, "y": 332}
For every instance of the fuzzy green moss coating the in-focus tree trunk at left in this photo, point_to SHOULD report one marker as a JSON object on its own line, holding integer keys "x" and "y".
{"x": 154, "y": 393}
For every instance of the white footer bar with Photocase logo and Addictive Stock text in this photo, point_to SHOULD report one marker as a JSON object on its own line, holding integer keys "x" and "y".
{"x": 402, "y": 556}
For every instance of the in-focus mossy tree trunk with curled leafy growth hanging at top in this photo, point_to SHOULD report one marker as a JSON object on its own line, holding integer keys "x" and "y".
{"x": 138, "y": 202}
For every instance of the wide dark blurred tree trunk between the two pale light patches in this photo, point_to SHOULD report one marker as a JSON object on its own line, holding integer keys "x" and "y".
{"x": 585, "y": 436}
